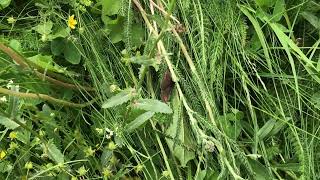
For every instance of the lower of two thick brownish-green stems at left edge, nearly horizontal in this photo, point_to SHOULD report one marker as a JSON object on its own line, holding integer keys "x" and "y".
{"x": 44, "y": 97}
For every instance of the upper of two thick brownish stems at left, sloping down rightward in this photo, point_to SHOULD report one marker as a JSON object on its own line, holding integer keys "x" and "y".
{"x": 18, "y": 59}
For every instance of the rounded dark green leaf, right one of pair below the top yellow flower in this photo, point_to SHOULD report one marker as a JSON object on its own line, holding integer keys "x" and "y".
{"x": 71, "y": 53}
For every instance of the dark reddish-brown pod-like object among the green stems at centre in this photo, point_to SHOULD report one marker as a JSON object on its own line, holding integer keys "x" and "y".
{"x": 166, "y": 86}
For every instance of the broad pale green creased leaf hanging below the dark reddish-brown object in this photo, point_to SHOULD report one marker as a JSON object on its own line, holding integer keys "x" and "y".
{"x": 178, "y": 130}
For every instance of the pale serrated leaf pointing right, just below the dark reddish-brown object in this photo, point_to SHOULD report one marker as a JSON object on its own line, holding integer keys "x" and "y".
{"x": 152, "y": 105}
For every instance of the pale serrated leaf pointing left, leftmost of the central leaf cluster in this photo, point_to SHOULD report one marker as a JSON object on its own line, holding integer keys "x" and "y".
{"x": 122, "y": 97}
